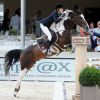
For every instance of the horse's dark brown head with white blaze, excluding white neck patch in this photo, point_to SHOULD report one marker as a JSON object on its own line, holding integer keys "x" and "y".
{"x": 76, "y": 18}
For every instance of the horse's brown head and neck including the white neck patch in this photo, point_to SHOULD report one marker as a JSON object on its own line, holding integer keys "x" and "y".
{"x": 70, "y": 21}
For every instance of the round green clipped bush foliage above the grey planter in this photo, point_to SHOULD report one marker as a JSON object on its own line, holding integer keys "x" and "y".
{"x": 89, "y": 76}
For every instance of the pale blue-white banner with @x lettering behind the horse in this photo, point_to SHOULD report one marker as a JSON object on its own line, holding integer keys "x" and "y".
{"x": 44, "y": 70}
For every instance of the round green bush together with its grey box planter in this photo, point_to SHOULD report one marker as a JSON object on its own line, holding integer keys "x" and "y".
{"x": 89, "y": 79}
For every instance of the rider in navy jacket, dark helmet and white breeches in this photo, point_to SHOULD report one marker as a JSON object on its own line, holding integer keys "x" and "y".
{"x": 56, "y": 16}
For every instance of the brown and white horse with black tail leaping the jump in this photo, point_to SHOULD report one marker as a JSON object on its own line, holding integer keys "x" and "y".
{"x": 35, "y": 52}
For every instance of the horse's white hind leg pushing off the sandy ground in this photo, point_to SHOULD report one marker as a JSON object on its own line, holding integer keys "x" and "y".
{"x": 21, "y": 75}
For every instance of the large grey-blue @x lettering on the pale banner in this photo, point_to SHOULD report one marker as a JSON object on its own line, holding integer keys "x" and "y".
{"x": 48, "y": 67}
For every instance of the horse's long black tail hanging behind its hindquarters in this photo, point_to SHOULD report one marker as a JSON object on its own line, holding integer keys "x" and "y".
{"x": 11, "y": 58}
